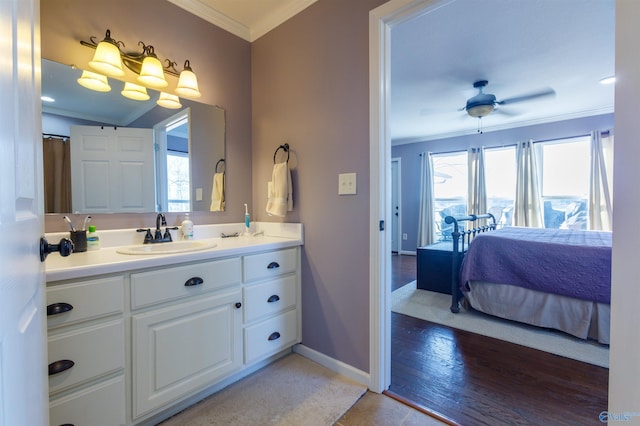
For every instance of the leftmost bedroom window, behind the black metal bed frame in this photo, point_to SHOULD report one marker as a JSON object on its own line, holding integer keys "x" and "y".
{"x": 449, "y": 189}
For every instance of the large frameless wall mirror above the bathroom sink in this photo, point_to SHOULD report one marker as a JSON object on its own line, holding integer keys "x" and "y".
{"x": 187, "y": 151}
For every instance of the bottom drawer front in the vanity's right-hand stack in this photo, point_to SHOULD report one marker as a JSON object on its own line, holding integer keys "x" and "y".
{"x": 270, "y": 337}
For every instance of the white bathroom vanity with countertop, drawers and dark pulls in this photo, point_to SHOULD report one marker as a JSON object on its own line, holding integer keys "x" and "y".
{"x": 133, "y": 339}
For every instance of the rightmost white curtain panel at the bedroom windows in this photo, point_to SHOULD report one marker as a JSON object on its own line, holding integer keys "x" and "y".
{"x": 601, "y": 183}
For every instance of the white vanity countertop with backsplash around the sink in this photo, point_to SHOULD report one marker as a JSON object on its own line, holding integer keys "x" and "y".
{"x": 107, "y": 260}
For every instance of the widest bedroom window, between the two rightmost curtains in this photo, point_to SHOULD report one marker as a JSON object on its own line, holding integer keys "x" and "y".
{"x": 565, "y": 169}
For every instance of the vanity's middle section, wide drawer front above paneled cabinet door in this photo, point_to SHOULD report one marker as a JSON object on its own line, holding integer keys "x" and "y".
{"x": 191, "y": 338}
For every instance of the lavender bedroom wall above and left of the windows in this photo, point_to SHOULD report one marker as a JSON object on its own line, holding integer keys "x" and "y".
{"x": 410, "y": 160}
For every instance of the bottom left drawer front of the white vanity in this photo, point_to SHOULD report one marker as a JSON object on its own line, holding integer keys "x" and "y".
{"x": 99, "y": 405}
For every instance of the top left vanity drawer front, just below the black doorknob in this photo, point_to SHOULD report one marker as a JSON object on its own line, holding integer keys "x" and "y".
{"x": 74, "y": 302}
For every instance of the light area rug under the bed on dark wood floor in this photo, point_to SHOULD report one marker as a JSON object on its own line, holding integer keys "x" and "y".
{"x": 434, "y": 307}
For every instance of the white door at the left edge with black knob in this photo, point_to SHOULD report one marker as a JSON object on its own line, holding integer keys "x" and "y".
{"x": 23, "y": 361}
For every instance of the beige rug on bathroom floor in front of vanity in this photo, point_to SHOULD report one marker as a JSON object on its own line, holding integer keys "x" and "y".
{"x": 291, "y": 391}
